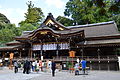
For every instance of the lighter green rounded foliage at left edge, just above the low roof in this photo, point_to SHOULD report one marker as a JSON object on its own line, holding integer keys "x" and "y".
{"x": 8, "y": 32}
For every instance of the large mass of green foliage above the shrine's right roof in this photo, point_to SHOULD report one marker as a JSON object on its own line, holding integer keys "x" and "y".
{"x": 91, "y": 11}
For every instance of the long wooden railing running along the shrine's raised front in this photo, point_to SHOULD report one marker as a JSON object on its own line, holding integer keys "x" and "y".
{"x": 88, "y": 58}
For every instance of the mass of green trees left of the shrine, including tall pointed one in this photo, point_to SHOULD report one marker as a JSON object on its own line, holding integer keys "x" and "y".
{"x": 8, "y": 31}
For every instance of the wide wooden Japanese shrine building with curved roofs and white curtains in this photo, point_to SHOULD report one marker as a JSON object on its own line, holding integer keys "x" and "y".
{"x": 98, "y": 43}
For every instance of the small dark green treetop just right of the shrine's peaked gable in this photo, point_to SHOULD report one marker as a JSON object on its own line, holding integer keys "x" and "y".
{"x": 65, "y": 21}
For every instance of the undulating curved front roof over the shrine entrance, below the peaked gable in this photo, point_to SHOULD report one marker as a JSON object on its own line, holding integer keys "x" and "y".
{"x": 29, "y": 34}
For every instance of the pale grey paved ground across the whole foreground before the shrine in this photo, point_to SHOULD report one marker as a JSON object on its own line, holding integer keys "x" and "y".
{"x": 7, "y": 74}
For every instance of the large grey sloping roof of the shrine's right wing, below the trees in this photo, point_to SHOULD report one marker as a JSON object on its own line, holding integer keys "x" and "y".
{"x": 98, "y": 29}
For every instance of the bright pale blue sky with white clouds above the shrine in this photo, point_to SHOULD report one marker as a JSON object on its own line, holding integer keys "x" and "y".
{"x": 14, "y": 9}
